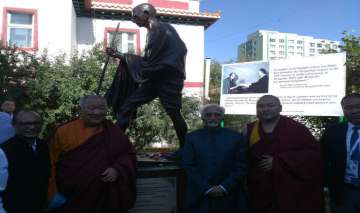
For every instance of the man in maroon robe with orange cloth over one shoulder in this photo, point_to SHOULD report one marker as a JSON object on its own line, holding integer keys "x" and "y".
{"x": 93, "y": 163}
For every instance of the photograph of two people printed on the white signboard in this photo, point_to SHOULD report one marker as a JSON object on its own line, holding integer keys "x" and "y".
{"x": 246, "y": 78}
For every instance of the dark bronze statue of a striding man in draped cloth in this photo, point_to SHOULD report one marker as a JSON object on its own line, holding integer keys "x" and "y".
{"x": 160, "y": 72}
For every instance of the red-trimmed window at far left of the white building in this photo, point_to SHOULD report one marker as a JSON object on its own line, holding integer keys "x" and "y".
{"x": 20, "y": 28}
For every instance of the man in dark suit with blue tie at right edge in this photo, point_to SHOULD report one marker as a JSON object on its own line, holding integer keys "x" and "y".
{"x": 342, "y": 158}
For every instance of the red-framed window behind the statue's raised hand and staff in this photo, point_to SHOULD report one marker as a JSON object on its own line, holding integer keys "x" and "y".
{"x": 127, "y": 40}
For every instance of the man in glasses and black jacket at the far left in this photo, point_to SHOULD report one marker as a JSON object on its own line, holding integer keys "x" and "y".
{"x": 28, "y": 166}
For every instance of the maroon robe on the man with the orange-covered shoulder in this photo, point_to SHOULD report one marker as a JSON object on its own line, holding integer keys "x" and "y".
{"x": 79, "y": 174}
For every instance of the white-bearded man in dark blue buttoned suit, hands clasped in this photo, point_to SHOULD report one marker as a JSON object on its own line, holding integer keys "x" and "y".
{"x": 214, "y": 159}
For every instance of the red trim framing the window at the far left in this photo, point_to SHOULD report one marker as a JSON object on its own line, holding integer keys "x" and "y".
{"x": 21, "y": 10}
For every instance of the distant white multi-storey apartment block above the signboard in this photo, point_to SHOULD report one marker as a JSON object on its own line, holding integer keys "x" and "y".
{"x": 269, "y": 45}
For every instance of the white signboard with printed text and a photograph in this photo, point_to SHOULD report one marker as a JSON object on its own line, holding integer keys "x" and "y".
{"x": 310, "y": 86}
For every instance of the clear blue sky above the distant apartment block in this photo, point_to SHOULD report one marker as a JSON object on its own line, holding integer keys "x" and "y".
{"x": 323, "y": 19}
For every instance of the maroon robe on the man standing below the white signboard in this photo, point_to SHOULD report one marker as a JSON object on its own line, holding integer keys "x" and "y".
{"x": 294, "y": 185}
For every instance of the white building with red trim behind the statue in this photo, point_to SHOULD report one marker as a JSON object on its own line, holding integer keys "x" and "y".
{"x": 69, "y": 25}
